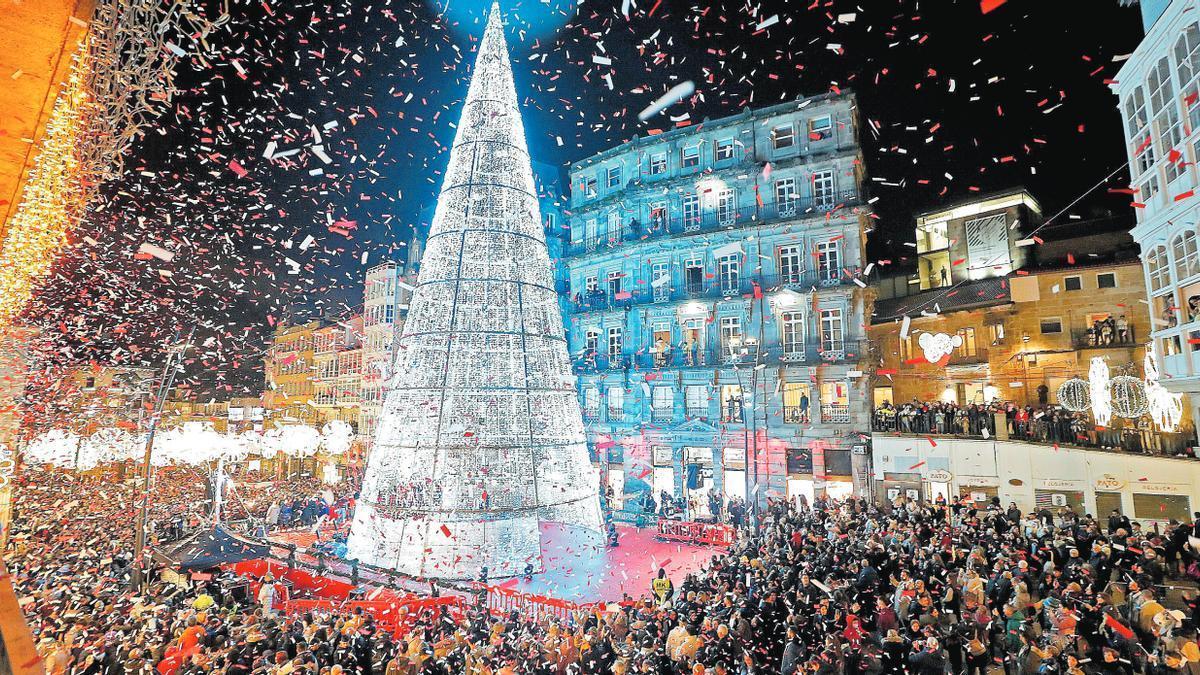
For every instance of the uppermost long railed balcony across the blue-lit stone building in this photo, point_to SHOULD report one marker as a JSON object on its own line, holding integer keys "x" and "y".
{"x": 711, "y": 220}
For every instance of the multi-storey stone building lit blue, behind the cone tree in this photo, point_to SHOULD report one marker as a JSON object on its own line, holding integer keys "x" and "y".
{"x": 717, "y": 304}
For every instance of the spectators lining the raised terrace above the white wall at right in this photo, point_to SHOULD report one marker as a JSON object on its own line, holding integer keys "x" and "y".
{"x": 1042, "y": 425}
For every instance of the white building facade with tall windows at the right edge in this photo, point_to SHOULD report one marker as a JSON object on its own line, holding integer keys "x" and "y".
{"x": 1159, "y": 93}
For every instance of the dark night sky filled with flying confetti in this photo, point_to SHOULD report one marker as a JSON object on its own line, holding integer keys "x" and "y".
{"x": 952, "y": 101}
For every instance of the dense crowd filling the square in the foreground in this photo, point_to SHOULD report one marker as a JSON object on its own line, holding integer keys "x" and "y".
{"x": 830, "y": 588}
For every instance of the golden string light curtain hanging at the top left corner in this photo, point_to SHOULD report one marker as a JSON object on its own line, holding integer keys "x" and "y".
{"x": 121, "y": 77}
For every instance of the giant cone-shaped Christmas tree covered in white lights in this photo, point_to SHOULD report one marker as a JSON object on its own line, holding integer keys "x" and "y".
{"x": 482, "y": 437}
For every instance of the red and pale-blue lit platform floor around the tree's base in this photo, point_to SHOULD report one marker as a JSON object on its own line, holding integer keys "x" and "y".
{"x": 587, "y": 574}
